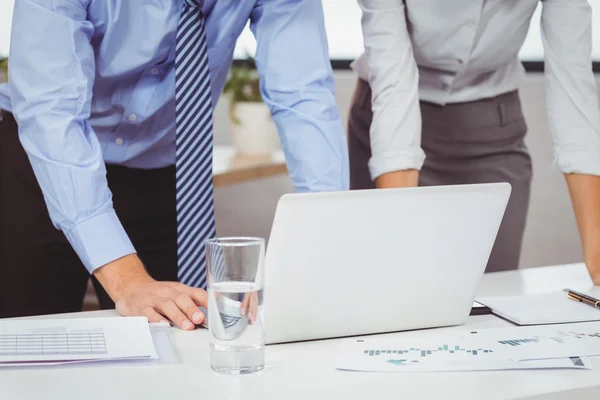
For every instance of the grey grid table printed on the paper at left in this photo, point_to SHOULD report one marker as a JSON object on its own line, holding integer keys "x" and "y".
{"x": 53, "y": 344}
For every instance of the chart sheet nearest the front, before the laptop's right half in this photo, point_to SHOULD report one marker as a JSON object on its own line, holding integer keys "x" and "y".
{"x": 451, "y": 353}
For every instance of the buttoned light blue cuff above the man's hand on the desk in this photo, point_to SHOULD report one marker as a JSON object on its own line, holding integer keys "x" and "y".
{"x": 100, "y": 240}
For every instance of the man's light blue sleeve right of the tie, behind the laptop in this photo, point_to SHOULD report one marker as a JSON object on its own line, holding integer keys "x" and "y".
{"x": 297, "y": 85}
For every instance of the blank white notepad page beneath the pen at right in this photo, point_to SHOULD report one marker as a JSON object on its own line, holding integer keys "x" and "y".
{"x": 545, "y": 308}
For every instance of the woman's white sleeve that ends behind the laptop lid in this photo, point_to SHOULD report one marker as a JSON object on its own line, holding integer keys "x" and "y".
{"x": 394, "y": 80}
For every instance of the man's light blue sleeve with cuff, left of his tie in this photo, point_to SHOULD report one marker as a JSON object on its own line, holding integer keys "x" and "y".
{"x": 51, "y": 77}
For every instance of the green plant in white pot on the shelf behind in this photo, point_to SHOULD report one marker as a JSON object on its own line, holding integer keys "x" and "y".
{"x": 253, "y": 131}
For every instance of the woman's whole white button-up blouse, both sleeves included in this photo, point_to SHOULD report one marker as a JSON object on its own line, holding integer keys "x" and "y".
{"x": 444, "y": 51}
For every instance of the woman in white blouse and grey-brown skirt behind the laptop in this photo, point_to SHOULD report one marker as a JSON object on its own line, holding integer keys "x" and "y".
{"x": 437, "y": 103}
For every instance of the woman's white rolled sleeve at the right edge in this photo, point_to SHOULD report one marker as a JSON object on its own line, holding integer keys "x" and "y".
{"x": 571, "y": 94}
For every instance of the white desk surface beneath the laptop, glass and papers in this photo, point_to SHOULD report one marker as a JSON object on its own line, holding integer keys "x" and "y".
{"x": 306, "y": 370}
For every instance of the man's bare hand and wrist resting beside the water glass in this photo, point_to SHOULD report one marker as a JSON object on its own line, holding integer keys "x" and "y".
{"x": 135, "y": 293}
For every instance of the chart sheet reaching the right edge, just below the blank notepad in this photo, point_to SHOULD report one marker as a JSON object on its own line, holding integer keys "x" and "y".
{"x": 542, "y": 342}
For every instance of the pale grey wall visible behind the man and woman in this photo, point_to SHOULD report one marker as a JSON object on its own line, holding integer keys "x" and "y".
{"x": 551, "y": 234}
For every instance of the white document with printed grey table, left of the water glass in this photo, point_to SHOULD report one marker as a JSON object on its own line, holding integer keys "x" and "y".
{"x": 63, "y": 341}
